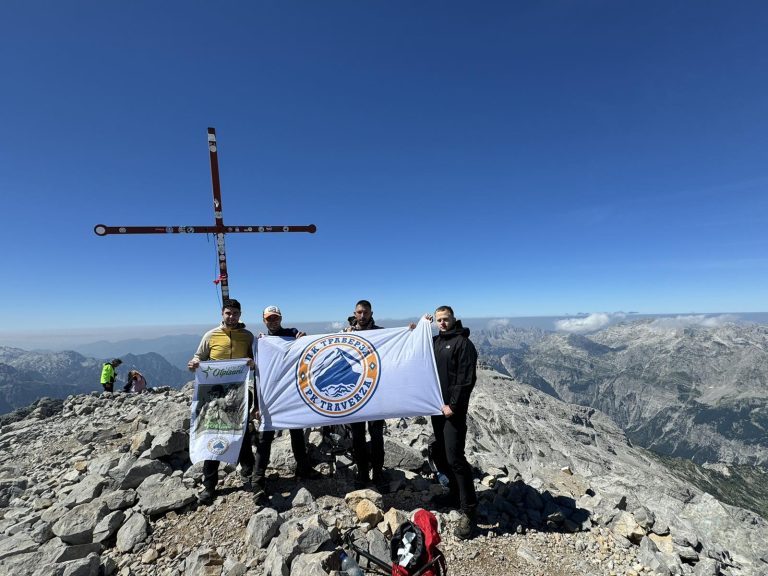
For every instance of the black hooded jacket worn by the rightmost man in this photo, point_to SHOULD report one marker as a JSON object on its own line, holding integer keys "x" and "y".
{"x": 456, "y": 360}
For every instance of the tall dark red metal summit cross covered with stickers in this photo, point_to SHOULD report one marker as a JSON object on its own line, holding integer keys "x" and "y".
{"x": 218, "y": 230}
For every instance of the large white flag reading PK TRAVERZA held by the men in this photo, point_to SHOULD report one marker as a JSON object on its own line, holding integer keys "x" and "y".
{"x": 347, "y": 377}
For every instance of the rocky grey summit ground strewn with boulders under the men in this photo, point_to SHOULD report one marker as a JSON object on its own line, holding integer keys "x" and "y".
{"x": 102, "y": 484}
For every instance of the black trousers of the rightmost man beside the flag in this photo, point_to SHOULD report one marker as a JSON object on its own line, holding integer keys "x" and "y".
{"x": 448, "y": 455}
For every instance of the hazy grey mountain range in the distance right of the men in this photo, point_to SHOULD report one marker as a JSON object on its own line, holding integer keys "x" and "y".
{"x": 696, "y": 392}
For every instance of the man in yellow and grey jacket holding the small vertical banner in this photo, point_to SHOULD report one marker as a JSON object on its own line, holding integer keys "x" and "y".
{"x": 228, "y": 341}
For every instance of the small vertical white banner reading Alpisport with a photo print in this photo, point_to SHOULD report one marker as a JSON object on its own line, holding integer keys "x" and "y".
{"x": 219, "y": 410}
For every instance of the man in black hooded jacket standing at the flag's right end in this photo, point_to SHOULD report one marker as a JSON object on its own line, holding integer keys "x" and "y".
{"x": 456, "y": 361}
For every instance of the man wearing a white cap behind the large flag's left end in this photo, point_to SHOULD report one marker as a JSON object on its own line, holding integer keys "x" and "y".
{"x": 273, "y": 319}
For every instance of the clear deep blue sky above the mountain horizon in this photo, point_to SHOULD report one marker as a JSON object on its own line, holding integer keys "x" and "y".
{"x": 508, "y": 158}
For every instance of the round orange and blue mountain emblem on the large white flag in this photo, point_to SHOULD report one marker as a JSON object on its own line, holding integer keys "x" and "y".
{"x": 338, "y": 375}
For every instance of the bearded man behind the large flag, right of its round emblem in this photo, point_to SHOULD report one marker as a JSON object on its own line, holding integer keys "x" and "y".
{"x": 363, "y": 320}
